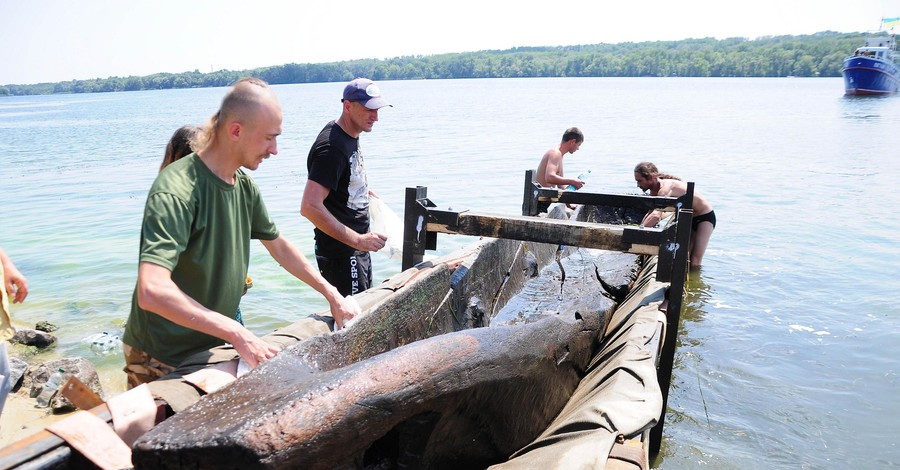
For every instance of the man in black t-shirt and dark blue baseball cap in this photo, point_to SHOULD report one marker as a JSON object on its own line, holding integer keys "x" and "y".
{"x": 336, "y": 198}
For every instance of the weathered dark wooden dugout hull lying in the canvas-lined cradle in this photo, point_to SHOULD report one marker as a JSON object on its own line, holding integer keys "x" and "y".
{"x": 417, "y": 382}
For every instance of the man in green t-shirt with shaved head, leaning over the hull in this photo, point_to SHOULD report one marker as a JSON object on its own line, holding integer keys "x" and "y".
{"x": 200, "y": 215}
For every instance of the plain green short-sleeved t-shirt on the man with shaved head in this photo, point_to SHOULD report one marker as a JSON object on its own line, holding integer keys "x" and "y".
{"x": 199, "y": 227}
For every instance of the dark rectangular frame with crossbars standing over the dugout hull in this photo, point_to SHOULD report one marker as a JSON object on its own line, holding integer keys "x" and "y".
{"x": 423, "y": 221}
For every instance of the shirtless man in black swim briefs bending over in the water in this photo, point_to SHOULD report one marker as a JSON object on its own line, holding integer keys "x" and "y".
{"x": 649, "y": 178}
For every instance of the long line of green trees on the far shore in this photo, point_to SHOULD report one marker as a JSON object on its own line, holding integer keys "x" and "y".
{"x": 815, "y": 55}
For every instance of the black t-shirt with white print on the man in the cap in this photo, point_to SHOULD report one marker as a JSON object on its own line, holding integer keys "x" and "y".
{"x": 336, "y": 162}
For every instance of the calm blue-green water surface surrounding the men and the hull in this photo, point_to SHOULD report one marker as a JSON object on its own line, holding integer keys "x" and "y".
{"x": 789, "y": 337}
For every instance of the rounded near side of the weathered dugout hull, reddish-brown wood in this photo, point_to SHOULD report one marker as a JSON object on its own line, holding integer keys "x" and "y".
{"x": 451, "y": 401}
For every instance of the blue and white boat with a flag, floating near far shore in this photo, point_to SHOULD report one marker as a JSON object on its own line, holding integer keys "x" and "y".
{"x": 873, "y": 69}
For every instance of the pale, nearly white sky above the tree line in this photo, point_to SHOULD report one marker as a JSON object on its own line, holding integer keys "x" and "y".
{"x": 60, "y": 40}
